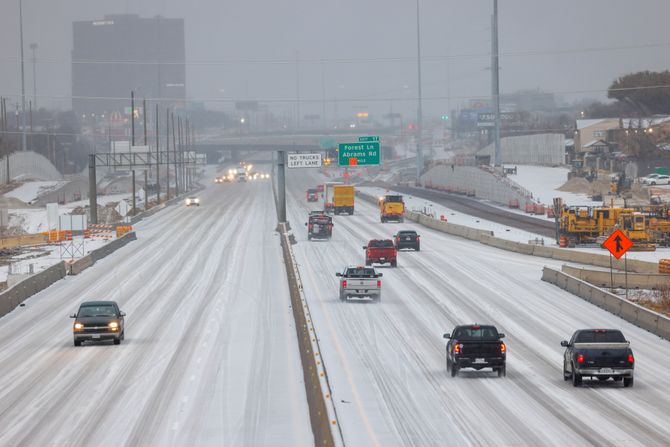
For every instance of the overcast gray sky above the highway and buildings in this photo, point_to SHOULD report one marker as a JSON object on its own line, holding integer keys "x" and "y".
{"x": 542, "y": 45}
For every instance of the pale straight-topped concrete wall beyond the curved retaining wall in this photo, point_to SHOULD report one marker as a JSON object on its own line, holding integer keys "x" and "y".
{"x": 543, "y": 149}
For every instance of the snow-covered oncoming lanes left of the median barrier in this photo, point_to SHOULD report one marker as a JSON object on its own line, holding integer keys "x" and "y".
{"x": 210, "y": 355}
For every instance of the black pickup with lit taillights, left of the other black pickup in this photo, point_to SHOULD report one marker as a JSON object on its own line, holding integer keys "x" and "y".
{"x": 476, "y": 346}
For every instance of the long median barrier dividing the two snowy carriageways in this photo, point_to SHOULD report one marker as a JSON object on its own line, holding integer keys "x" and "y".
{"x": 322, "y": 412}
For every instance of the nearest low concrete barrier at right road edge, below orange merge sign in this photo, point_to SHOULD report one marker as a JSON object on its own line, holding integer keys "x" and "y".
{"x": 647, "y": 319}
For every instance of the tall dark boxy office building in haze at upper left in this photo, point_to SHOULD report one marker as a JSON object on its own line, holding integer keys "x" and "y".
{"x": 120, "y": 53}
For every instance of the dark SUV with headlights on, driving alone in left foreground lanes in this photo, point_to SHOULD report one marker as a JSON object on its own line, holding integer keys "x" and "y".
{"x": 98, "y": 320}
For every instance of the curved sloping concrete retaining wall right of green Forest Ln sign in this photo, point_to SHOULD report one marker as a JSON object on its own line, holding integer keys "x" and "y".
{"x": 485, "y": 184}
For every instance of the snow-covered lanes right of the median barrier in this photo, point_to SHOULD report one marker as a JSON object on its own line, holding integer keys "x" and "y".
{"x": 386, "y": 361}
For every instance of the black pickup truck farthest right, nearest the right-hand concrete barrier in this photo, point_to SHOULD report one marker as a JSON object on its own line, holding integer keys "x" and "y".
{"x": 599, "y": 353}
